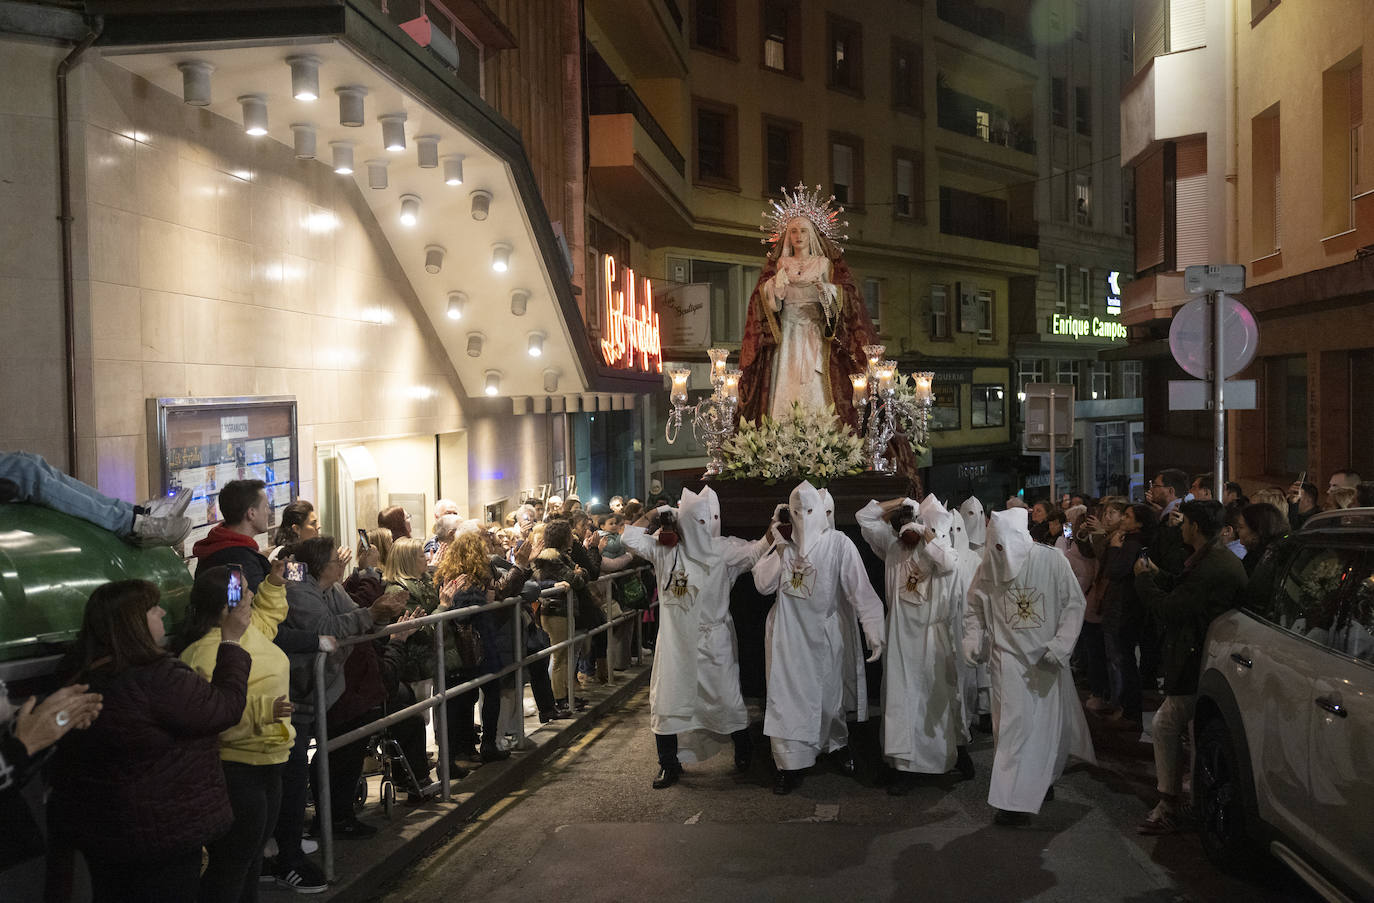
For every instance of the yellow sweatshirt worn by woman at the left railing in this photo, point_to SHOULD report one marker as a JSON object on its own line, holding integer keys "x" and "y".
{"x": 259, "y": 739}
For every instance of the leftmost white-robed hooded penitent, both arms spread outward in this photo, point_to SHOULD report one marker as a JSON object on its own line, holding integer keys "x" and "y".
{"x": 695, "y": 689}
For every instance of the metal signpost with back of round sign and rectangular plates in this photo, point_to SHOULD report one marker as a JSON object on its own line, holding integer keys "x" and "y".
{"x": 1214, "y": 339}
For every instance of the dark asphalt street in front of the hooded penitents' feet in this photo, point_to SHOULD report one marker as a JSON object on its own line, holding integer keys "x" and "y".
{"x": 590, "y": 828}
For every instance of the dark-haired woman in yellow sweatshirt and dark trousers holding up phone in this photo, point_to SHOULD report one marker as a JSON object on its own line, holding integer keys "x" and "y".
{"x": 254, "y": 752}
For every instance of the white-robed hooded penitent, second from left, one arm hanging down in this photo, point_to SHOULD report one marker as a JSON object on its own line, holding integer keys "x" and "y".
{"x": 818, "y": 578}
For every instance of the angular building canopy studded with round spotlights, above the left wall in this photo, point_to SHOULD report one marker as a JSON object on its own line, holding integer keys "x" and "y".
{"x": 357, "y": 45}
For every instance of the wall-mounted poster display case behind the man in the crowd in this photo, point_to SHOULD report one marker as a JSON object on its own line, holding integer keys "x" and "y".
{"x": 204, "y": 443}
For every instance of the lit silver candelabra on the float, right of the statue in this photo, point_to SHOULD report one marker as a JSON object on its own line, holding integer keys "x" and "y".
{"x": 884, "y": 412}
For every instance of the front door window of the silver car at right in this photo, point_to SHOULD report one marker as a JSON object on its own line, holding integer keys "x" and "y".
{"x": 1307, "y": 596}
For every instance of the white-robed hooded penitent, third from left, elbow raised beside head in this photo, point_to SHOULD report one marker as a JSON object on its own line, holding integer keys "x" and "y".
{"x": 923, "y": 714}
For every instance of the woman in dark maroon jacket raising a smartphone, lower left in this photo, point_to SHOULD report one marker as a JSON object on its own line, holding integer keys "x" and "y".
{"x": 142, "y": 790}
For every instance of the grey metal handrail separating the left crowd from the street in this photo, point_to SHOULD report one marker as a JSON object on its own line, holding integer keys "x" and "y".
{"x": 325, "y": 744}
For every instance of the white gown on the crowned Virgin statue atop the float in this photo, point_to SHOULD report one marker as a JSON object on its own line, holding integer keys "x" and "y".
{"x": 799, "y": 366}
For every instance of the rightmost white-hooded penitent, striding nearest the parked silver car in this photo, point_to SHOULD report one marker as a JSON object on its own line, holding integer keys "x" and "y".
{"x": 1027, "y": 607}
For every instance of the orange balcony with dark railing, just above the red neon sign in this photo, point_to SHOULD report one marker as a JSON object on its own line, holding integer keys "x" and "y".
{"x": 631, "y": 157}
